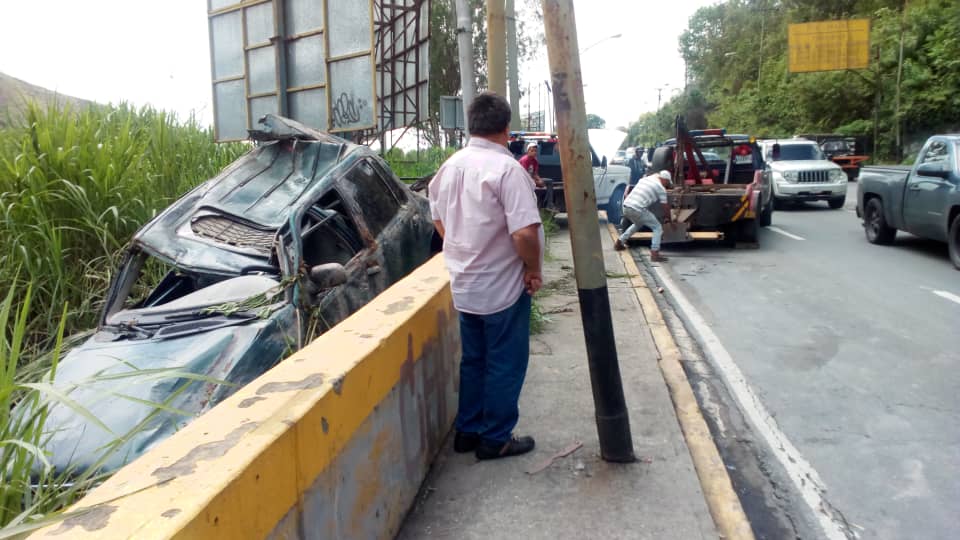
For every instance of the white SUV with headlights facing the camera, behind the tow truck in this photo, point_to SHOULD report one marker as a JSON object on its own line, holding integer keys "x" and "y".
{"x": 799, "y": 172}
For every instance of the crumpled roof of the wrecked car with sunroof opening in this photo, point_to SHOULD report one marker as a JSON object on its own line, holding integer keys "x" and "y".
{"x": 253, "y": 197}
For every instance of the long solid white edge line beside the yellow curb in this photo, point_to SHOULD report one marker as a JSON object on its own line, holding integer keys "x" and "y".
{"x": 805, "y": 478}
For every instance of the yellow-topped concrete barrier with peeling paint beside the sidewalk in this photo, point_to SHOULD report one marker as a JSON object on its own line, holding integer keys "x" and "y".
{"x": 334, "y": 442}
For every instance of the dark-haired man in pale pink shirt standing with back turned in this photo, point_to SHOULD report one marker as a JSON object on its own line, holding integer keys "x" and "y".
{"x": 484, "y": 206}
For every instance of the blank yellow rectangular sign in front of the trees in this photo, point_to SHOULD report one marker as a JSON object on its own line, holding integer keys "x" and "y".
{"x": 829, "y": 45}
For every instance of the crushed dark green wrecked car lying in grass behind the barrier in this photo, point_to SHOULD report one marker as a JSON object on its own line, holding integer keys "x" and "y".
{"x": 248, "y": 267}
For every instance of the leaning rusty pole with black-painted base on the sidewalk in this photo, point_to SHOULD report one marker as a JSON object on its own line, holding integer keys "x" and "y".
{"x": 613, "y": 423}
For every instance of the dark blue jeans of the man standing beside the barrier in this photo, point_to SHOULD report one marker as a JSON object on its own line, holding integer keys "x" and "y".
{"x": 496, "y": 349}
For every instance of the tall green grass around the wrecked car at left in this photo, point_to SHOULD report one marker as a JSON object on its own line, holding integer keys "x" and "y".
{"x": 74, "y": 186}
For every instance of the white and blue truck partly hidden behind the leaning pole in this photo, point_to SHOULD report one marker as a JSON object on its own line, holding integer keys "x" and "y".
{"x": 610, "y": 181}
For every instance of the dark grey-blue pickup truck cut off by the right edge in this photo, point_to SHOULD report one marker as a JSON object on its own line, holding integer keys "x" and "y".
{"x": 923, "y": 199}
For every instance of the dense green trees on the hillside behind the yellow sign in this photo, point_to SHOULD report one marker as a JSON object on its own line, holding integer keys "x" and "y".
{"x": 741, "y": 83}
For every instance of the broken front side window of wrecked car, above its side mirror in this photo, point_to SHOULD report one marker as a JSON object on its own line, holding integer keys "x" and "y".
{"x": 328, "y": 234}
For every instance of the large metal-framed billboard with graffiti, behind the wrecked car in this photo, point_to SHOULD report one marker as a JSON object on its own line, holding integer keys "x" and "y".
{"x": 337, "y": 65}
